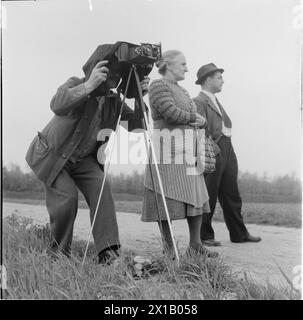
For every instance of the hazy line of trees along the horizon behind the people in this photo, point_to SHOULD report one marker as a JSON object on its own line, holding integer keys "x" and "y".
{"x": 253, "y": 188}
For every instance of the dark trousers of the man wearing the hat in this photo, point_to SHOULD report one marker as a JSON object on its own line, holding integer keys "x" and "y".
{"x": 223, "y": 185}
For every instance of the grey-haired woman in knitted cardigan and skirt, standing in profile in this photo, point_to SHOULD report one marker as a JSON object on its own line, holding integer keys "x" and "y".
{"x": 186, "y": 195}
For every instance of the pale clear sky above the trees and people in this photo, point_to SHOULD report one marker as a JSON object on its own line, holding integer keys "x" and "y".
{"x": 254, "y": 41}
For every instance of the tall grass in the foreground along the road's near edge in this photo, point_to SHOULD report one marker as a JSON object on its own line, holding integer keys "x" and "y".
{"x": 32, "y": 274}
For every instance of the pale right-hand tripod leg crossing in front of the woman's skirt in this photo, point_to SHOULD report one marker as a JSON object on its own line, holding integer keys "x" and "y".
{"x": 156, "y": 166}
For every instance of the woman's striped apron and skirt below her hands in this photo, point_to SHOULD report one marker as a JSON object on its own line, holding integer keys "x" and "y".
{"x": 184, "y": 188}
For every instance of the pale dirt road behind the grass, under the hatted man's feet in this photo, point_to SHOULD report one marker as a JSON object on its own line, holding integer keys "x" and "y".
{"x": 279, "y": 244}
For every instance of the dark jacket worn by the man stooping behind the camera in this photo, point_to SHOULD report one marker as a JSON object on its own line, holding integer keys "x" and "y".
{"x": 74, "y": 111}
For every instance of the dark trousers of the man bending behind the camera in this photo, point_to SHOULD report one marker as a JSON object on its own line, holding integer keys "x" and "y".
{"x": 62, "y": 205}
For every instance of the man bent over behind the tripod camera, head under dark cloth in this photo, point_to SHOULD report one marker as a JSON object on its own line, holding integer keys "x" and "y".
{"x": 63, "y": 155}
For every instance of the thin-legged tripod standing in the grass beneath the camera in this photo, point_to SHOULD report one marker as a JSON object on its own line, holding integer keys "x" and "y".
{"x": 148, "y": 141}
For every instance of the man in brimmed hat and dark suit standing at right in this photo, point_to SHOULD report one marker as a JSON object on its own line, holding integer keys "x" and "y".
{"x": 221, "y": 184}
